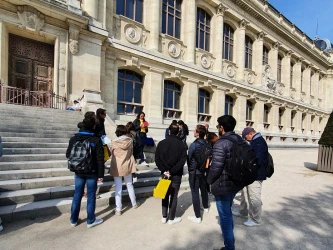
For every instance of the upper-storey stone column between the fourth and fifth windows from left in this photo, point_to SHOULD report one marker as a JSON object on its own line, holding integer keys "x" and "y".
{"x": 240, "y": 49}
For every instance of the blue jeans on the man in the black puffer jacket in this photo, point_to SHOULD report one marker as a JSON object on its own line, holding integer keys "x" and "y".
{"x": 223, "y": 205}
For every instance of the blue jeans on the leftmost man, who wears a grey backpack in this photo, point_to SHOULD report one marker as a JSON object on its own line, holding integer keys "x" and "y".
{"x": 80, "y": 181}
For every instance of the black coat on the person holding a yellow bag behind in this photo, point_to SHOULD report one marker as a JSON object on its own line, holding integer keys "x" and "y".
{"x": 170, "y": 155}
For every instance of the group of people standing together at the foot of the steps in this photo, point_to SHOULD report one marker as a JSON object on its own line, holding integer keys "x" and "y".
{"x": 171, "y": 156}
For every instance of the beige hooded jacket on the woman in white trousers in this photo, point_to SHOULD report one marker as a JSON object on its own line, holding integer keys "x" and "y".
{"x": 122, "y": 160}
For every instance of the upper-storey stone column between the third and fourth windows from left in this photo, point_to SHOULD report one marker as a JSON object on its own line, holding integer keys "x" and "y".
{"x": 218, "y": 37}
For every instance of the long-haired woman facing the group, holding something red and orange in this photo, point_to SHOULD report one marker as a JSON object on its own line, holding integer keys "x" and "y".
{"x": 141, "y": 128}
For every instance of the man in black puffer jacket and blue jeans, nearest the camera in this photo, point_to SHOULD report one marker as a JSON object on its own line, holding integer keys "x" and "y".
{"x": 222, "y": 187}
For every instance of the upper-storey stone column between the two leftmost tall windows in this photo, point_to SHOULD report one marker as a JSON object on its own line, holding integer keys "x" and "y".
{"x": 154, "y": 23}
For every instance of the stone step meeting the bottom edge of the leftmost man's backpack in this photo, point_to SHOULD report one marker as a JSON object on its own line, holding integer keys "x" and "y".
{"x": 25, "y": 165}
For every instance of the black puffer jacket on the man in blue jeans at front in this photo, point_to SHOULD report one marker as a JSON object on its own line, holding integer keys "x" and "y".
{"x": 217, "y": 176}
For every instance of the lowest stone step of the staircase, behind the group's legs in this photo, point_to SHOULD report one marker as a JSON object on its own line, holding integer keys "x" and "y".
{"x": 33, "y": 210}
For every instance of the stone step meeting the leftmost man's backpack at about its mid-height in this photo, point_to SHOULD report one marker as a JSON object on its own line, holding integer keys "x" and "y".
{"x": 31, "y": 157}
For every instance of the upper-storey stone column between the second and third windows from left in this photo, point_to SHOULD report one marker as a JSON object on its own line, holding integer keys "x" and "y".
{"x": 190, "y": 30}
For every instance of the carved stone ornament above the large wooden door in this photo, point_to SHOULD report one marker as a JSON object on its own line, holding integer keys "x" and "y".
{"x": 30, "y": 18}
